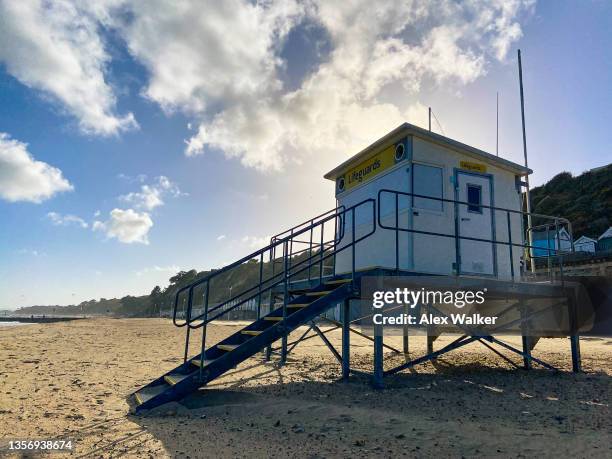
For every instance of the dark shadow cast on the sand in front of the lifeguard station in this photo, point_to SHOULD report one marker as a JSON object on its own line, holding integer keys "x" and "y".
{"x": 259, "y": 419}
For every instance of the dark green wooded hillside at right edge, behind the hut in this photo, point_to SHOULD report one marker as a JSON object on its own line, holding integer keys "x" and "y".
{"x": 585, "y": 200}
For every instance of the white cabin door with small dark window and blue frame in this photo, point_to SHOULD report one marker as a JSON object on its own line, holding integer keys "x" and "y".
{"x": 475, "y": 221}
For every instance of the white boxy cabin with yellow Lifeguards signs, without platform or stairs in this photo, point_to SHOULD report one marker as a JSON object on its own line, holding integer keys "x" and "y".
{"x": 427, "y": 176}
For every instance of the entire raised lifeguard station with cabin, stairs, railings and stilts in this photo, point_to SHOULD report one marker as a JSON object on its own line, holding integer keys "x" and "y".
{"x": 413, "y": 203}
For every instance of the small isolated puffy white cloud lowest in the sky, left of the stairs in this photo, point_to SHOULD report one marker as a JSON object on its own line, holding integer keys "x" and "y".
{"x": 127, "y": 226}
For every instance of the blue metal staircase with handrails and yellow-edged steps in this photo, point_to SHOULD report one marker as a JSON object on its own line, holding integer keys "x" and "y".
{"x": 306, "y": 286}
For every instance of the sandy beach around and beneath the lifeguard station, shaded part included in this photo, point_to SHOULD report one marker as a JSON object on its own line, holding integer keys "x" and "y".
{"x": 71, "y": 380}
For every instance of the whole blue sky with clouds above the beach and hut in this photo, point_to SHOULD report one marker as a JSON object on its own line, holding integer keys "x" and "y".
{"x": 138, "y": 139}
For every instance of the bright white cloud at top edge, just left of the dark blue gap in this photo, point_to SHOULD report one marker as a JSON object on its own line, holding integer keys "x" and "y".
{"x": 202, "y": 52}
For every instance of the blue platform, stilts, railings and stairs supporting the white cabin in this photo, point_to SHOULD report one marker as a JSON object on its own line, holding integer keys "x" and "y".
{"x": 293, "y": 286}
